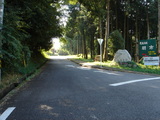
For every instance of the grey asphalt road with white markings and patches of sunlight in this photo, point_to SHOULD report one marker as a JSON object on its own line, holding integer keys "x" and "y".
{"x": 66, "y": 91}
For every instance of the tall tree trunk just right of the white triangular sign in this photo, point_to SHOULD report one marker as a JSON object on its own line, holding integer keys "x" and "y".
{"x": 105, "y": 55}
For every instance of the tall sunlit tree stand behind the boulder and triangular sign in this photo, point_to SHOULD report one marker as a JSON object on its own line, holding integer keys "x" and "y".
{"x": 91, "y": 19}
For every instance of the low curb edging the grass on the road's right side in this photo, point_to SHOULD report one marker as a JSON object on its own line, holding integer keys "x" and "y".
{"x": 81, "y": 63}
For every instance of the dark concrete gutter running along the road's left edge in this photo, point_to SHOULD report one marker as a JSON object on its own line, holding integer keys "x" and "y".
{"x": 12, "y": 86}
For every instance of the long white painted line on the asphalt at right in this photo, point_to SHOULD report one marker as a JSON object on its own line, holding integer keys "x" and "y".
{"x": 133, "y": 81}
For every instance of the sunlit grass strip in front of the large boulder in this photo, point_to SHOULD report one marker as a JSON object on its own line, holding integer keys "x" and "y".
{"x": 137, "y": 67}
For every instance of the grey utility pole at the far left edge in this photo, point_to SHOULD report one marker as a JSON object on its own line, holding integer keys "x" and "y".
{"x": 1, "y": 24}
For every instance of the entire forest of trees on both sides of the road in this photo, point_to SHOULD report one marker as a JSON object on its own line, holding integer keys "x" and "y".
{"x": 29, "y": 25}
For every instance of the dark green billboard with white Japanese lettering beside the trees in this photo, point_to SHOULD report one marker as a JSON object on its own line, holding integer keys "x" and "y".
{"x": 147, "y": 48}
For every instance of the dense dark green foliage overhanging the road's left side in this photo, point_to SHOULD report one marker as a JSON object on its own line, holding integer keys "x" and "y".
{"x": 28, "y": 28}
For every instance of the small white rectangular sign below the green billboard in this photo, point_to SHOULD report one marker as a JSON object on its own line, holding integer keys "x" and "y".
{"x": 151, "y": 60}
